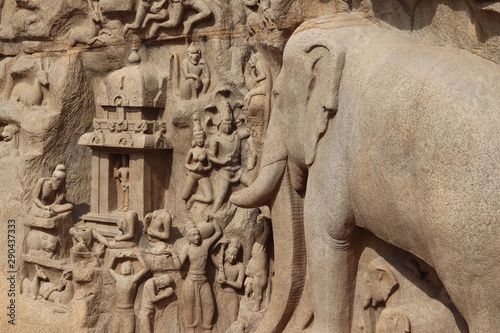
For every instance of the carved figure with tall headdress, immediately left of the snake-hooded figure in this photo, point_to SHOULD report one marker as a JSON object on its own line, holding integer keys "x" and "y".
{"x": 198, "y": 165}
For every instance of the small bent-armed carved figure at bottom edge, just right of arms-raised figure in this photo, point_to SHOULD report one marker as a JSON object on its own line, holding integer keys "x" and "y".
{"x": 155, "y": 290}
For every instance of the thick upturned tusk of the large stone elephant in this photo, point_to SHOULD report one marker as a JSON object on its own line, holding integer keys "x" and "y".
{"x": 261, "y": 190}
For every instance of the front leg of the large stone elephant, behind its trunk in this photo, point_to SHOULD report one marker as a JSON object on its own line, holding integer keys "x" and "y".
{"x": 329, "y": 228}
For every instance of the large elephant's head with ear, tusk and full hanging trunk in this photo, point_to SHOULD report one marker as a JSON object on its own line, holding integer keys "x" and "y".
{"x": 304, "y": 102}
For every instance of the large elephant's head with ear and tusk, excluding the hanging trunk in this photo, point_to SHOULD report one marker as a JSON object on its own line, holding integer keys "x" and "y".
{"x": 304, "y": 101}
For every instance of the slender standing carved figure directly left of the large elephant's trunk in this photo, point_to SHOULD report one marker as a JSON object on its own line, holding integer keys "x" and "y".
{"x": 257, "y": 267}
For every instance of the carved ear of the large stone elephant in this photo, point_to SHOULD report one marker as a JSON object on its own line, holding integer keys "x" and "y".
{"x": 326, "y": 59}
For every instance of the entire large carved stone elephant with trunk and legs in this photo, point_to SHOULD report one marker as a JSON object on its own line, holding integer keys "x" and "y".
{"x": 369, "y": 128}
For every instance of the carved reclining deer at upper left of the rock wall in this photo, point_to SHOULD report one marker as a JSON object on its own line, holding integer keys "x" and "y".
{"x": 30, "y": 94}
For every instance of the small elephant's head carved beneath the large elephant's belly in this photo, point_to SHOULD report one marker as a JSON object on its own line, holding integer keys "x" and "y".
{"x": 378, "y": 284}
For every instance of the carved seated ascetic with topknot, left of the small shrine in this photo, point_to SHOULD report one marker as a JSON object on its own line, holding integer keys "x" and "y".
{"x": 50, "y": 195}
